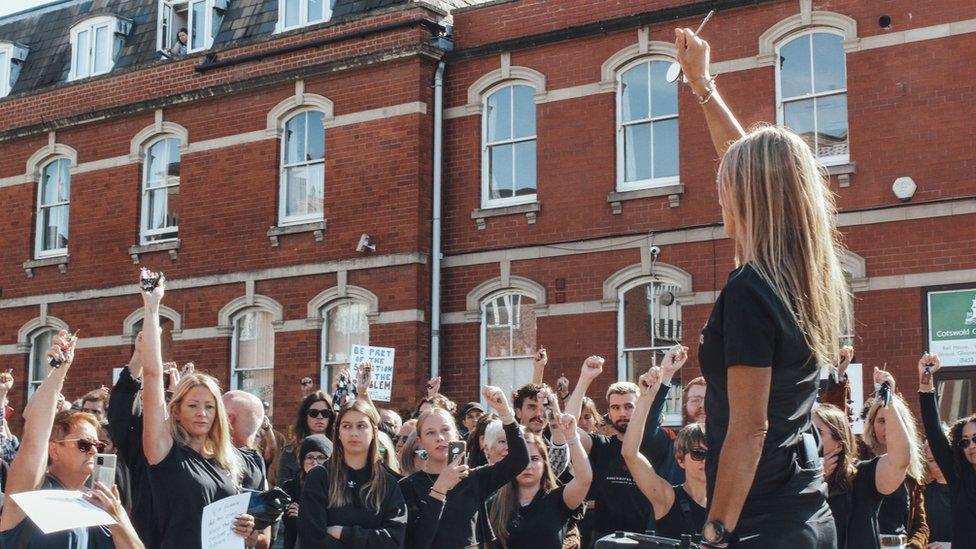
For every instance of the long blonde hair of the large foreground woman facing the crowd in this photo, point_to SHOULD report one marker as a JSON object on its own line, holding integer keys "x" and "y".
{"x": 785, "y": 227}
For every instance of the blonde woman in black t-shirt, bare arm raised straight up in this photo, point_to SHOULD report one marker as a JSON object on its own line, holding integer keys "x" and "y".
{"x": 192, "y": 459}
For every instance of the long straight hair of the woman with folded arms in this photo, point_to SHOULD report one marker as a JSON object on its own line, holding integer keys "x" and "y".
{"x": 379, "y": 485}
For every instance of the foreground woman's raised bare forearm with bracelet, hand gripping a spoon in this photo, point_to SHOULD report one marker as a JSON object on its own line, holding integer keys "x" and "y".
{"x": 694, "y": 57}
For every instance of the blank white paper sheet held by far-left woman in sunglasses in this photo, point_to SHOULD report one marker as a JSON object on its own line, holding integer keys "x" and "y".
{"x": 57, "y": 510}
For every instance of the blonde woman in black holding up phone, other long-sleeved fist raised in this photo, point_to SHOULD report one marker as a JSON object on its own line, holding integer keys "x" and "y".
{"x": 447, "y": 499}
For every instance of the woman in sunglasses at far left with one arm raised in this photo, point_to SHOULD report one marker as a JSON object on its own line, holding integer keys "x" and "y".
{"x": 58, "y": 453}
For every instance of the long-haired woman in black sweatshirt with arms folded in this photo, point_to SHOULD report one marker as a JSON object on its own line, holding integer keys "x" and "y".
{"x": 354, "y": 501}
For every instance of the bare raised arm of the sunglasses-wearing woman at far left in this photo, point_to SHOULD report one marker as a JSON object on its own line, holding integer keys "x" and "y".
{"x": 27, "y": 470}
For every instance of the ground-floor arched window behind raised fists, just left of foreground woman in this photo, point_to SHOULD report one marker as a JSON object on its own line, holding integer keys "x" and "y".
{"x": 650, "y": 323}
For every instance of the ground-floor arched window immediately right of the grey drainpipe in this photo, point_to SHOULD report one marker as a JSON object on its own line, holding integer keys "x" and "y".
{"x": 508, "y": 340}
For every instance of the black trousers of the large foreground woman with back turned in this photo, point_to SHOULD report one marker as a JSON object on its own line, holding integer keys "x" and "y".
{"x": 803, "y": 526}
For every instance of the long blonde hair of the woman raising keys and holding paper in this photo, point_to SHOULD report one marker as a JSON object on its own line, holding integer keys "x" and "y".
{"x": 218, "y": 443}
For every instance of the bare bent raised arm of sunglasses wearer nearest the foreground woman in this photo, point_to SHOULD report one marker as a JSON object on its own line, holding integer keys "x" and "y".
{"x": 657, "y": 490}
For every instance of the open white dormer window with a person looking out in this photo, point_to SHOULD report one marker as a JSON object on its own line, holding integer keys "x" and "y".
{"x": 188, "y": 26}
